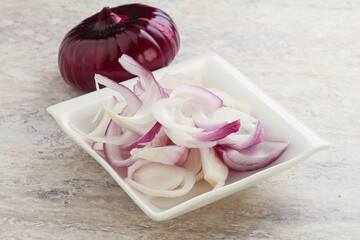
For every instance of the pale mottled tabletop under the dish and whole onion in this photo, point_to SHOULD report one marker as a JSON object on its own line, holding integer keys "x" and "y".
{"x": 304, "y": 54}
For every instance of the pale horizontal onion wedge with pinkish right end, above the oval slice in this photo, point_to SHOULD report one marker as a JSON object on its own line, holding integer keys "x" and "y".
{"x": 169, "y": 155}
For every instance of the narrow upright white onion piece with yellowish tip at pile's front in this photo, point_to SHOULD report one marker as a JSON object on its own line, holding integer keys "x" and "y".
{"x": 215, "y": 171}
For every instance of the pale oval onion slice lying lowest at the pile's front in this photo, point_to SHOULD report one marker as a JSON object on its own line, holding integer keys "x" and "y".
{"x": 160, "y": 180}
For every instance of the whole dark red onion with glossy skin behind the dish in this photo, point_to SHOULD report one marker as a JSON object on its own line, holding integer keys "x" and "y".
{"x": 145, "y": 33}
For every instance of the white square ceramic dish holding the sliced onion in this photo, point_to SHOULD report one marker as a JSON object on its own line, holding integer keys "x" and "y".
{"x": 214, "y": 71}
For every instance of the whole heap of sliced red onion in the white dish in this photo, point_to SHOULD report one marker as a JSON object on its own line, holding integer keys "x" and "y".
{"x": 191, "y": 117}
